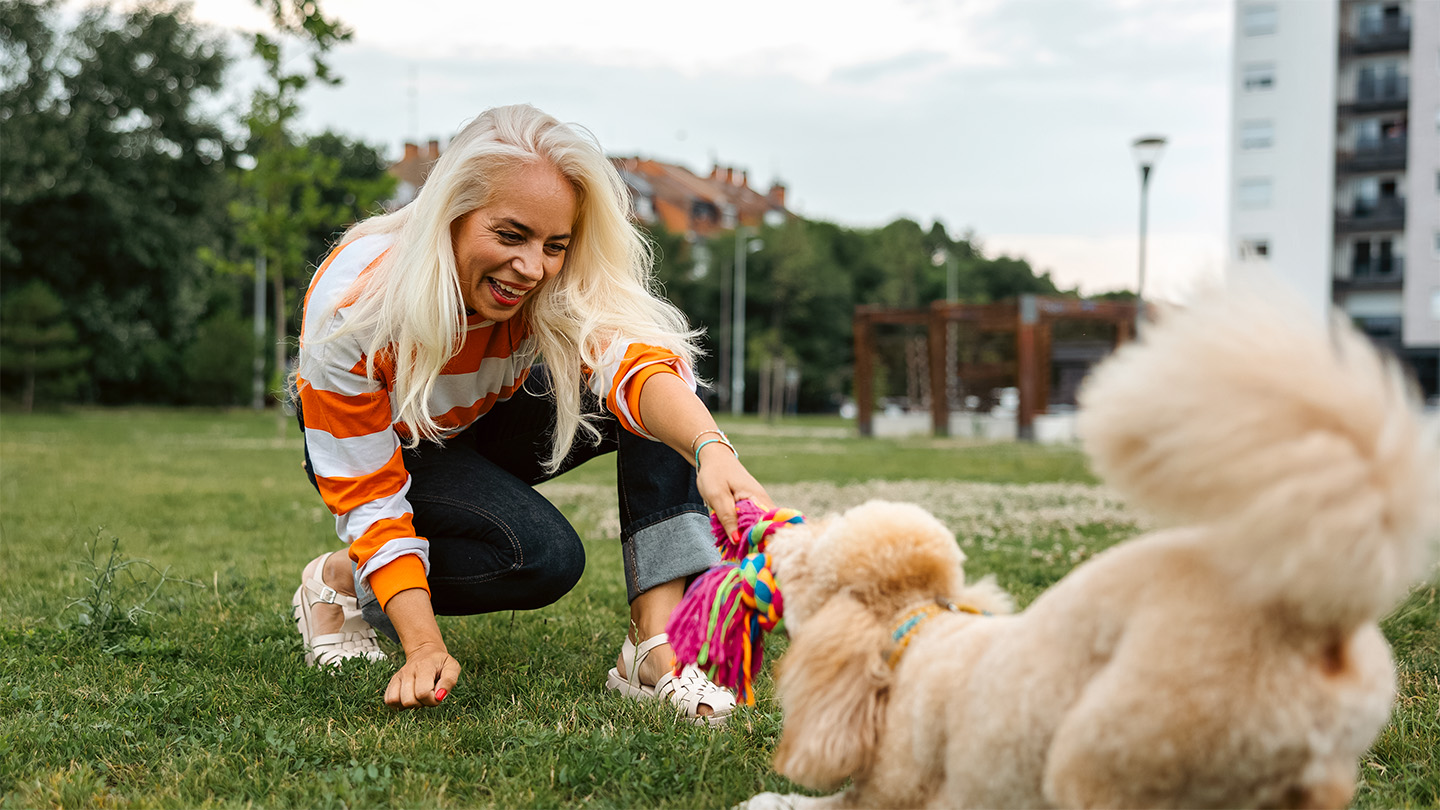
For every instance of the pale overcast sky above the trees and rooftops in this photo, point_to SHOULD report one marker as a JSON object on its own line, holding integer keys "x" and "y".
{"x": 1012, "y": 119}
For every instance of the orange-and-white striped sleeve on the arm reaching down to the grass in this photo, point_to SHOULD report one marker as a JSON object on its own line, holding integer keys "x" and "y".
{"x": 355, "y": 452}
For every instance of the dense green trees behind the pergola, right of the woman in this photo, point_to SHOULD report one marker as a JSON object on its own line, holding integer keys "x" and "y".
{"x": 806, "y": 282}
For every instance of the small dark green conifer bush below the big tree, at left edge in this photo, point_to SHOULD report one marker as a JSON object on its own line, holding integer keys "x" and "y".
{"x": 40, "y": 345}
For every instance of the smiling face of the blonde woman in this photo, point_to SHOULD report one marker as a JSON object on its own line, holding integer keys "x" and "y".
{"x": 505, "y": 252}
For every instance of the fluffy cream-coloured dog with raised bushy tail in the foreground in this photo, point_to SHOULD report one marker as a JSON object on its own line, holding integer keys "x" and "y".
{"x": 1232, "y": 661}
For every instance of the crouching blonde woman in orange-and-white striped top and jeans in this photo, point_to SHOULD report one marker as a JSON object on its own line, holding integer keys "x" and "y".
{"x": 427, "y": 424}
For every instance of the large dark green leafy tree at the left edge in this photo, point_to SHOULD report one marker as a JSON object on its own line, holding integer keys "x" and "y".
{"x": 113, "y": 181}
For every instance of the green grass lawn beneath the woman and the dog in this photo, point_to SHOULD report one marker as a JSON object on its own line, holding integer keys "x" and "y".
{"x": 202, "y": 701}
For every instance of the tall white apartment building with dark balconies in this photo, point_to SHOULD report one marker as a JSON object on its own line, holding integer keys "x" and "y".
{"x": 1336, "y": 162}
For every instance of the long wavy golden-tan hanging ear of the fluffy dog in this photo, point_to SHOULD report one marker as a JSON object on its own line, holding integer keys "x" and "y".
{"x": 833, "y": 685}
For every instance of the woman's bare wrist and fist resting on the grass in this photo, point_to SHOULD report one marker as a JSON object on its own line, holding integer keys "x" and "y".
{"x": 430, "y": 672}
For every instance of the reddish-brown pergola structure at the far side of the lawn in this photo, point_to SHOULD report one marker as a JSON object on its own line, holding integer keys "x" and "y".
{"x": 1030, "y": 318}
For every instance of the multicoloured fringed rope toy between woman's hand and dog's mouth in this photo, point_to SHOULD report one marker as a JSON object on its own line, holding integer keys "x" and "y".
{"x": 721, "y": 625}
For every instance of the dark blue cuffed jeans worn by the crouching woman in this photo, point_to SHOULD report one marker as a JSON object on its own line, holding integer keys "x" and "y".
{"x": 498, "y": 544}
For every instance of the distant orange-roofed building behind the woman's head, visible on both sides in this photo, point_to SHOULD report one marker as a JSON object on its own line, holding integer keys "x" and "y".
{"x": 673, "y": 197}
